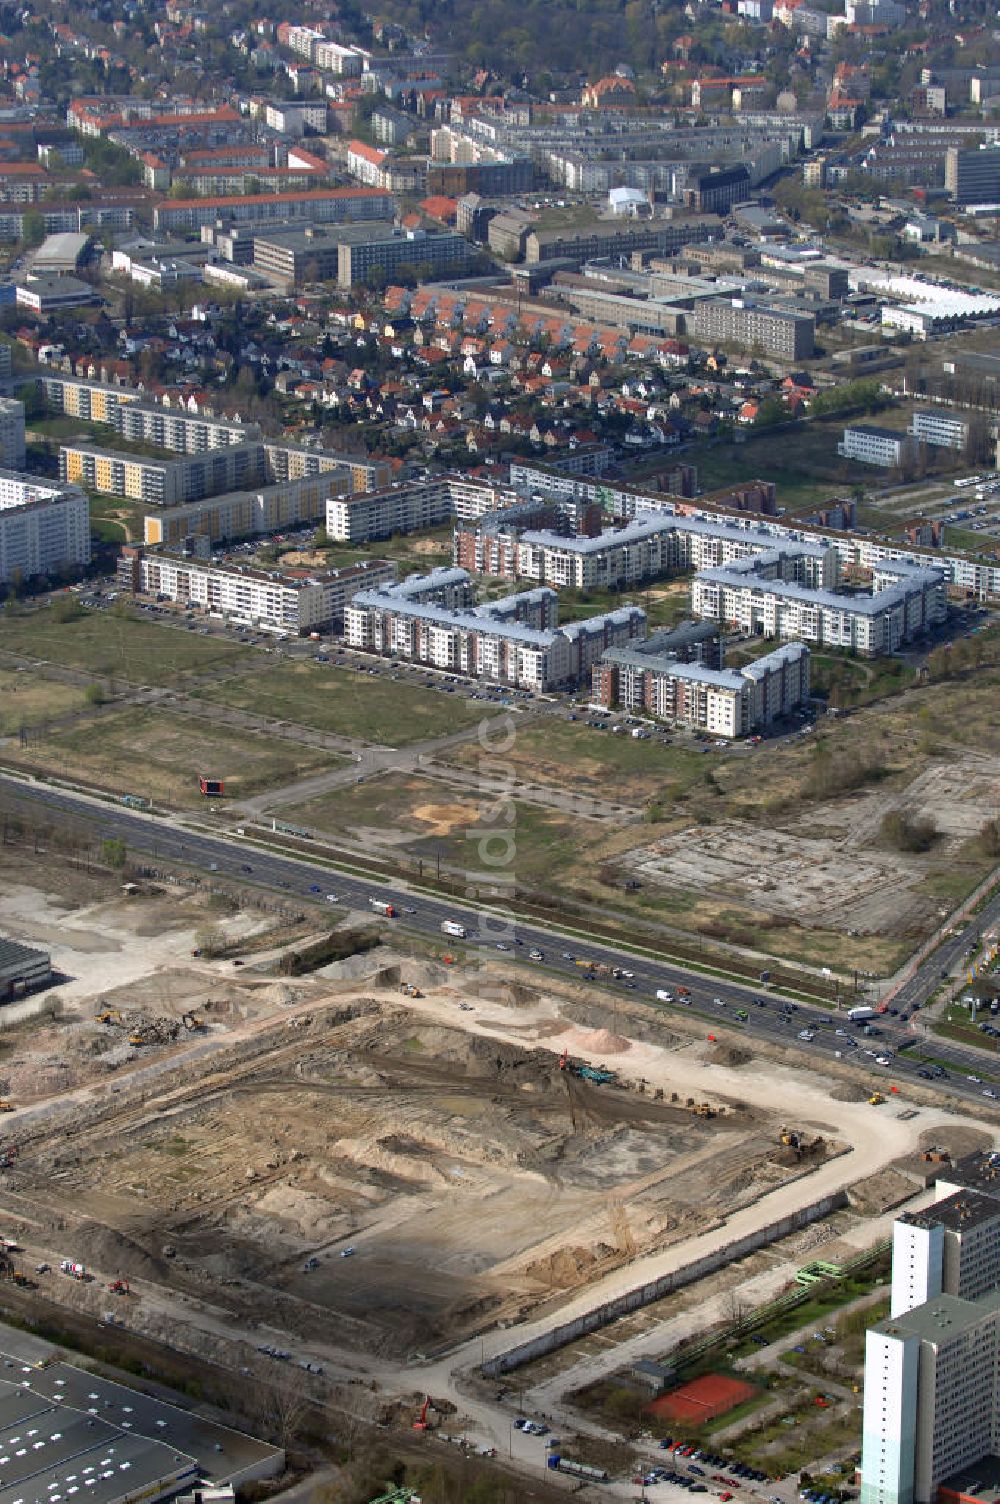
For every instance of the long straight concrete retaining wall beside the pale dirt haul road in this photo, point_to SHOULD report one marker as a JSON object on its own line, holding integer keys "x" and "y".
{"x": 656, "y": 1290}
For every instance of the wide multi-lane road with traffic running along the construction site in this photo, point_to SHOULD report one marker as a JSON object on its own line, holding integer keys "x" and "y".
{"x": 714, "y": 1001}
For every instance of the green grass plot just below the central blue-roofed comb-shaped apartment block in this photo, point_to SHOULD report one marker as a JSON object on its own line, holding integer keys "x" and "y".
{"x": 360, "y": 706}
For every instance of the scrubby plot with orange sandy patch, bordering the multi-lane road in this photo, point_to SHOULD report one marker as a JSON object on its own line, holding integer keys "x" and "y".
{"x": 429, "y": 820}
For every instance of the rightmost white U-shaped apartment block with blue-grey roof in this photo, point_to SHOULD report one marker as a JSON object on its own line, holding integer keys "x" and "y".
{"x": 754, "y": 596}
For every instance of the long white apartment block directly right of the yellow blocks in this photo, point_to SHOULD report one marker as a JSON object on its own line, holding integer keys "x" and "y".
{"x": 410, "y": 508}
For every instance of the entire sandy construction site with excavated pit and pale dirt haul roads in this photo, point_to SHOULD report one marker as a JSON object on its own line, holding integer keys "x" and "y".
{"x": 378, "y": 1178}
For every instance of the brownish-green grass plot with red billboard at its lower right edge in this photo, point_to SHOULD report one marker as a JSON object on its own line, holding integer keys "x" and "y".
{"x": 160, "y": 757}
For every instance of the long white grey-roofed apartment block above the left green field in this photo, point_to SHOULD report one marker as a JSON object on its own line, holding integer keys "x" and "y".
{"x": 274, "y": 601}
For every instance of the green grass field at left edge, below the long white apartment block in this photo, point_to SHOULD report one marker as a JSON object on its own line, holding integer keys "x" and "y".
{"x": 120, "y": 647}
